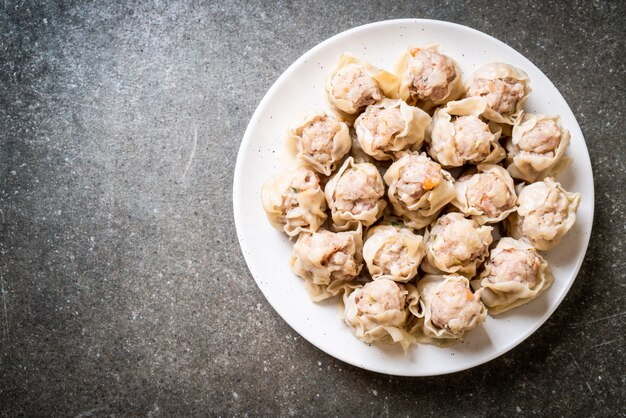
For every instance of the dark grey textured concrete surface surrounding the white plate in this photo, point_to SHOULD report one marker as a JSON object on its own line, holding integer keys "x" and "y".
{"x": 123, "y": 289}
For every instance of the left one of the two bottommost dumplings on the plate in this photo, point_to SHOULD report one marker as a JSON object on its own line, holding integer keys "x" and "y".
{"x": 378, "y": 311}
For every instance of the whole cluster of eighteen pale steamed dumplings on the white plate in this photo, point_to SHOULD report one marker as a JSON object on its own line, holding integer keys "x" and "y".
{"x": 421, "y": 201}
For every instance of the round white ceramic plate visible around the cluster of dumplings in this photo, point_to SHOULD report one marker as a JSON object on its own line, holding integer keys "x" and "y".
{"x": 267, "y": 251}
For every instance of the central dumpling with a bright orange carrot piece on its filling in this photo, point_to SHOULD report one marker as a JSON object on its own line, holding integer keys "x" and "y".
{"x": 418, "y": 188}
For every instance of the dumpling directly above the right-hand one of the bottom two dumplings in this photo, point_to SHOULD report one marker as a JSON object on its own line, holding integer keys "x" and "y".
{"x": 455, "y": 244}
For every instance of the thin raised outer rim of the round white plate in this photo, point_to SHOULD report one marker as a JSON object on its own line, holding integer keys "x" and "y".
{"x": 238, "y": 184}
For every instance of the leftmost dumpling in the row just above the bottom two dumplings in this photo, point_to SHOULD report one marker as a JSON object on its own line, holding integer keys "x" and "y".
{"x": 327, "y": 261}
